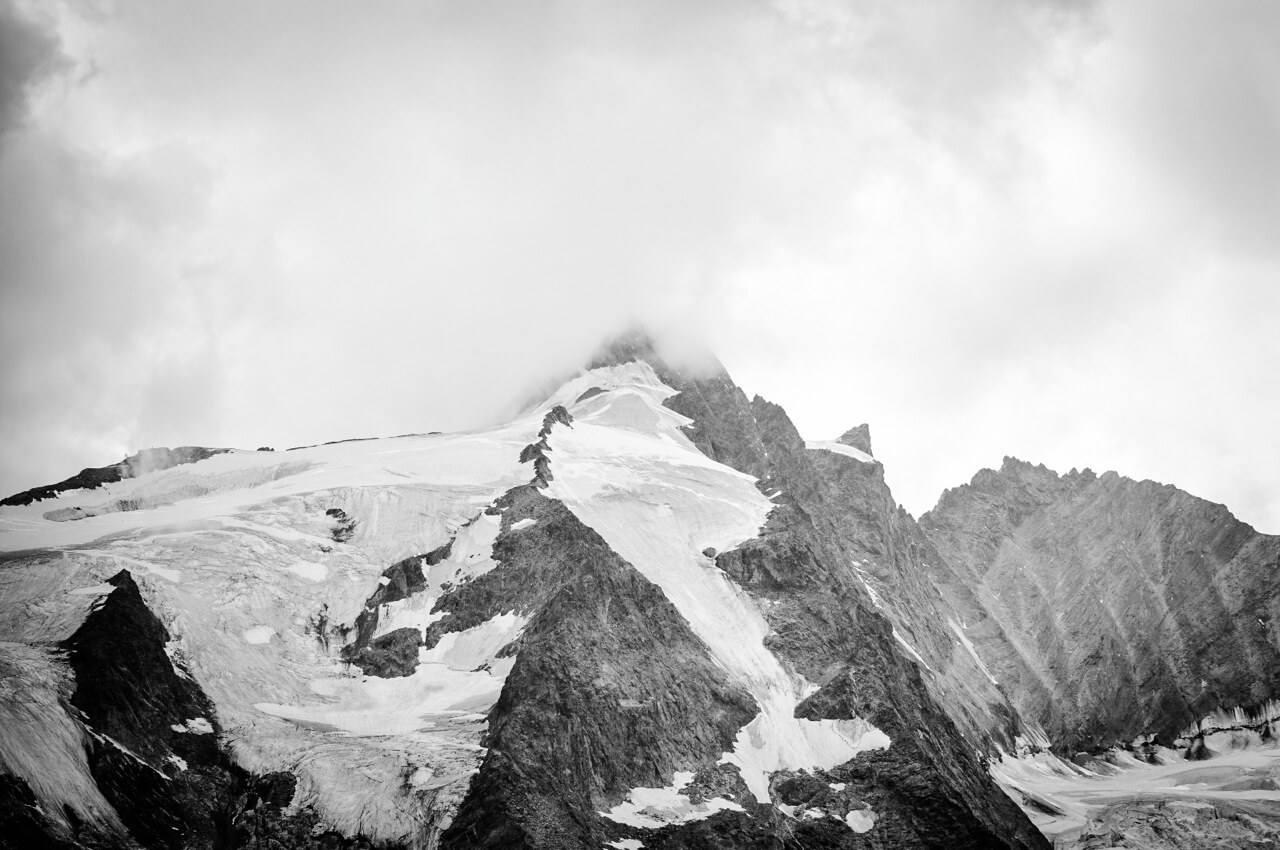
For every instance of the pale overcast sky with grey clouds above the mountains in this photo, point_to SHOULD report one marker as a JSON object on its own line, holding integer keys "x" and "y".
{"x": 1044, "y": 230}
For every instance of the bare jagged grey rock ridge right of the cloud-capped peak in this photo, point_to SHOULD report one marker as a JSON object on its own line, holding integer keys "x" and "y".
{"x": 1107, "y": 607}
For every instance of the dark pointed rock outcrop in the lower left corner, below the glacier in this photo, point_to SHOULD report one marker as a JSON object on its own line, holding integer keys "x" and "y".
{"x": 156, "y": 755}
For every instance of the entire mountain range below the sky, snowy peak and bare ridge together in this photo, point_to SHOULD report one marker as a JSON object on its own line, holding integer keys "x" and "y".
{"x": 644, "y": 614}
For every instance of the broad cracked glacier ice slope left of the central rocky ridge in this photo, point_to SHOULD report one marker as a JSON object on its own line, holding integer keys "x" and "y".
{"x": 239, "y": 557}
